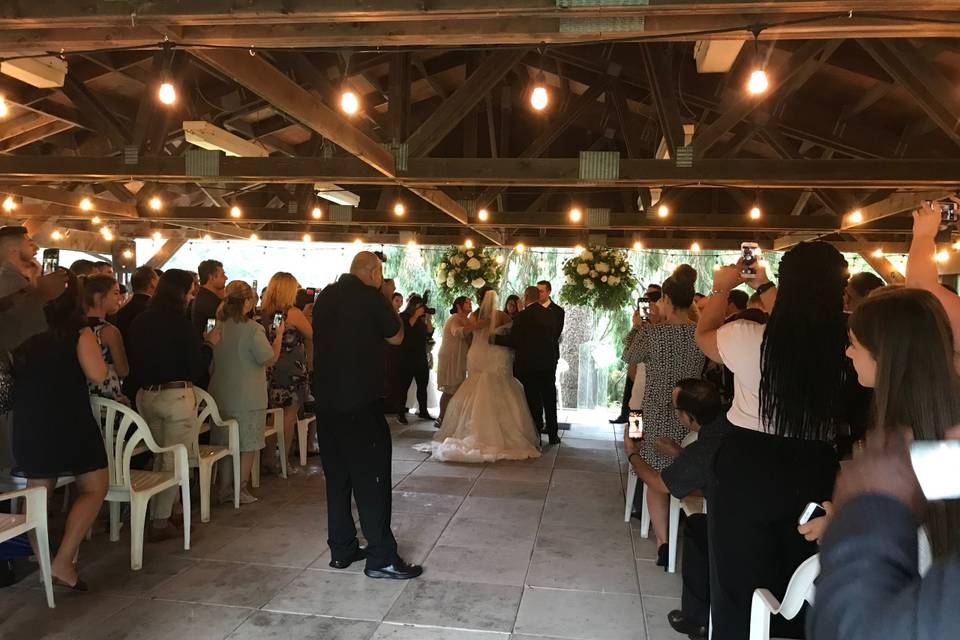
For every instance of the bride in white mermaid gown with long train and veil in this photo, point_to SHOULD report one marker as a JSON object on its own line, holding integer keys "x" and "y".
{"x": 487, "y": 419}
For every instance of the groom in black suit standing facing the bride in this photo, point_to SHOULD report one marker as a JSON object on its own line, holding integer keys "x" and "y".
{"x": 535, "y": 338}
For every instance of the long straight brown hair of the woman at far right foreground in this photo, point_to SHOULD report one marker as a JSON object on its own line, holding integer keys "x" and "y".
{"x": 917, "y": 386}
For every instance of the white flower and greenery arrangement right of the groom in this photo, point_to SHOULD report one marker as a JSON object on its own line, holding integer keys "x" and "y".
{"x": 598, "y": 277}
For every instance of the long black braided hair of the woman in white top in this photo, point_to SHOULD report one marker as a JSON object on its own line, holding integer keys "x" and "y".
{"x": 803, "y": 364}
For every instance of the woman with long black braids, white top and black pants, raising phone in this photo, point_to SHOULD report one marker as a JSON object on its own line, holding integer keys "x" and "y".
{"x": 790, "y": 378}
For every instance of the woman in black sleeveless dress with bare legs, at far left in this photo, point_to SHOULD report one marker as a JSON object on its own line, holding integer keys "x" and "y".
{"x": 54, "y": 431}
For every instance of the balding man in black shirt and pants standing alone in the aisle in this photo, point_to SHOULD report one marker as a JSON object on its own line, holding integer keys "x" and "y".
{"x": 351, "y": 320}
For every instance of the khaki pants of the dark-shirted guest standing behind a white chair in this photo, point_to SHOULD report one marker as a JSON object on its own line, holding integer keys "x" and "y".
{"x": 171, "y": 415}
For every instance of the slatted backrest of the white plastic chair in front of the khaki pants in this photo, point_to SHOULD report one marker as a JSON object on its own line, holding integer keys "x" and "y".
{"x": 123, "y": 431}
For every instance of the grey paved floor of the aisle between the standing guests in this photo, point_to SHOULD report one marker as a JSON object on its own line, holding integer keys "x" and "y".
{"x": 521, "y": 550}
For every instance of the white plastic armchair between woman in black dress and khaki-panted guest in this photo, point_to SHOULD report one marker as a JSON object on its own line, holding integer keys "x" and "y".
{"x": 124, "y": 431}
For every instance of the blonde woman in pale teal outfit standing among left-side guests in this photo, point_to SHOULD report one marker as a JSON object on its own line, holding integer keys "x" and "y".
{"x": 241, "y": 356}
